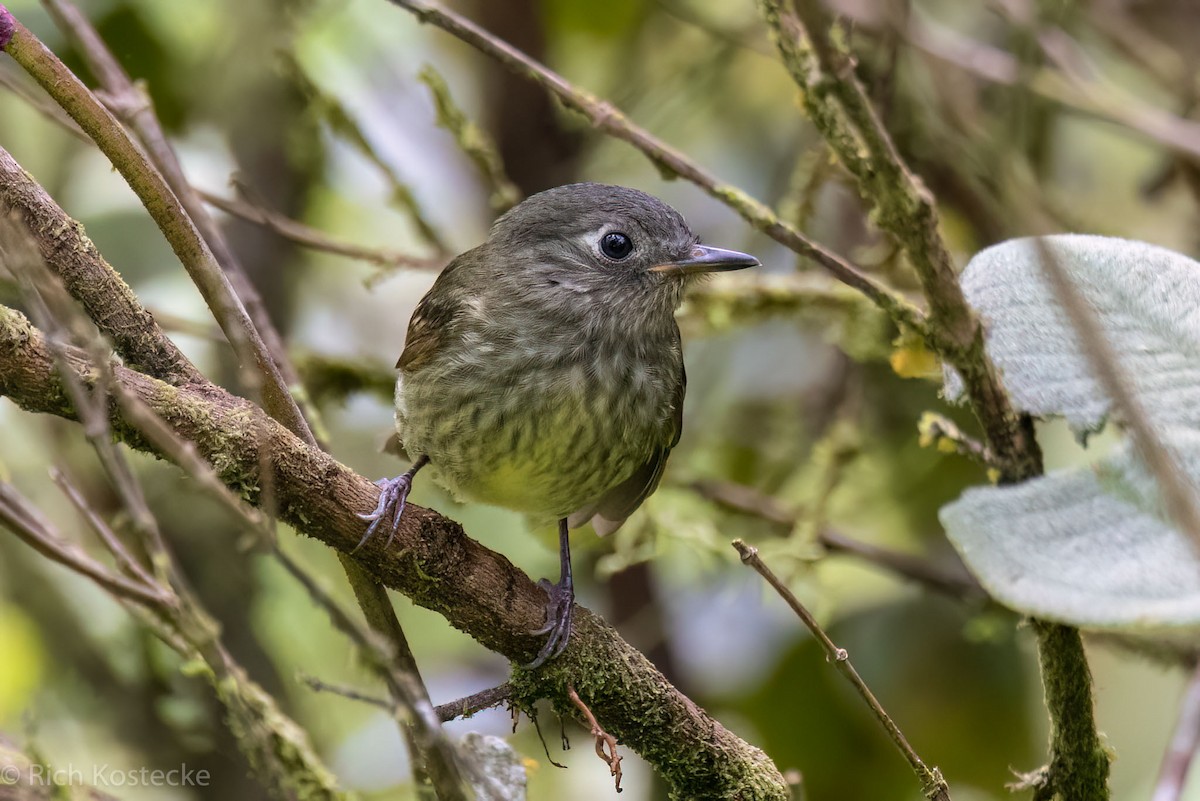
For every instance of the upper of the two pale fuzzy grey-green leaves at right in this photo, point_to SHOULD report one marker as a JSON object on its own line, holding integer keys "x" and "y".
{"x": 1148, "y": 300}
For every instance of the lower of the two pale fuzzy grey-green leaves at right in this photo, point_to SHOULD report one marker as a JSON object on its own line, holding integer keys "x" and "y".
{"x": 1089, "y": 547}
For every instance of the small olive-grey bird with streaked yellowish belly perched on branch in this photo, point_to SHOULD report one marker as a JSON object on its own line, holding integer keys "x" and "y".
{"x": 543, "y": 372}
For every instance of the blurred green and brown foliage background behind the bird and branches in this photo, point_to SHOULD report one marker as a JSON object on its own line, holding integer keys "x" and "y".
{"x": 797, "y": 389}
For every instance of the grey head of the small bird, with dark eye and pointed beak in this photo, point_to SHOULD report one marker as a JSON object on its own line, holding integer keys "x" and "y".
{"x": 609, "y": 242}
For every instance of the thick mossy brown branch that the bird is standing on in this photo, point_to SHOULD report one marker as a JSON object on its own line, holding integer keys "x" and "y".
{"x": 433, "y": 563}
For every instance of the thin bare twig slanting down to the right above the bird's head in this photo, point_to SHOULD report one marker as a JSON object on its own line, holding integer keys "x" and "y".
{"x": 607, "y": 118}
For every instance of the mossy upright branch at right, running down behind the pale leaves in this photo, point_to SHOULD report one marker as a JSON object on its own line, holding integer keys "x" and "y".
{"x": 821, "y": 65}
